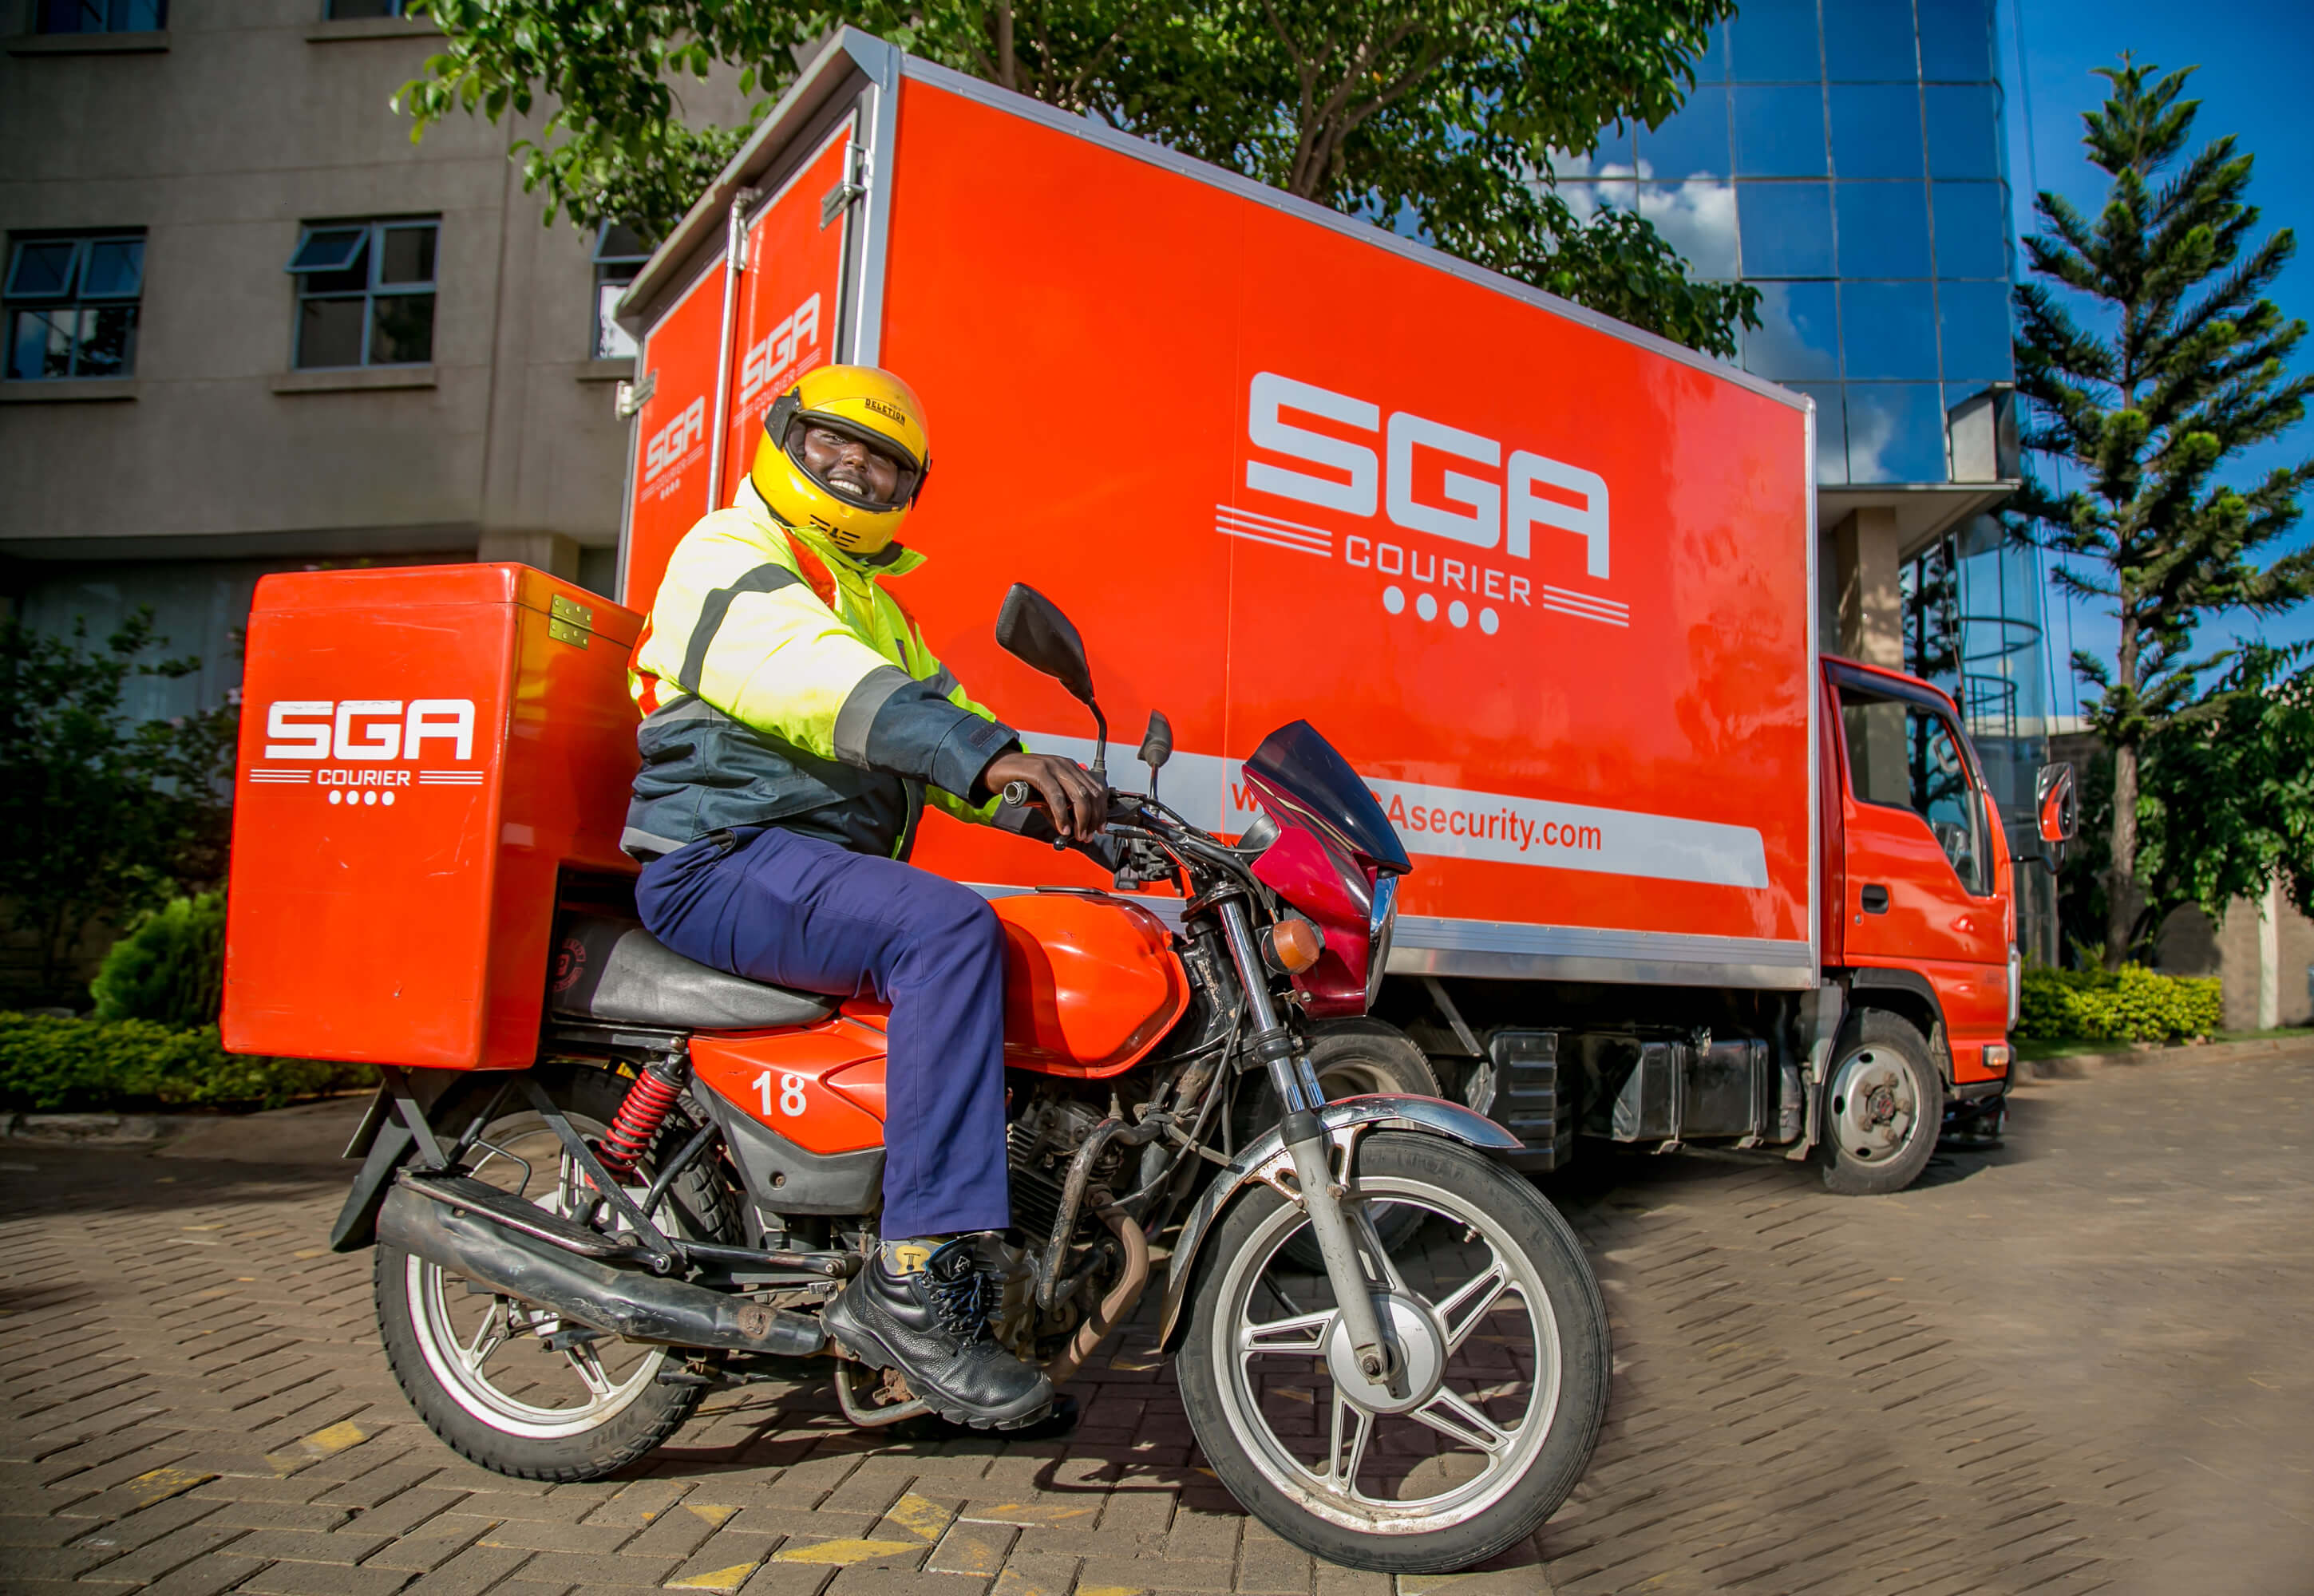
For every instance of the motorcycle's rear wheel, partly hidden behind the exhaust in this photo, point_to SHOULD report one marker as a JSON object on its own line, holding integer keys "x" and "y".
{"x": 471, "y": 1407}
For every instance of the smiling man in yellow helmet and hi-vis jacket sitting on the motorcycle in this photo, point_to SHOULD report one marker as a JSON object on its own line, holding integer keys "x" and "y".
{"x": 795, "y": 727}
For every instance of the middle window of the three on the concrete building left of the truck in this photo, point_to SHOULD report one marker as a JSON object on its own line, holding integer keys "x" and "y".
{"x": 364, "y": 293}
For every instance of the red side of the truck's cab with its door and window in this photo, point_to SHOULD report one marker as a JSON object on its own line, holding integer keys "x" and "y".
{"x": 1922, "y": 873}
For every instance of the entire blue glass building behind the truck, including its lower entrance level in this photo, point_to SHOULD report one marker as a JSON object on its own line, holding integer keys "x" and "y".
{"x": 1848, "y": 161}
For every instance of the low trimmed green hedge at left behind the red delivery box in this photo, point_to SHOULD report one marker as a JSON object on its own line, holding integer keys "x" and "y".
{"x": 50, "y": 1065}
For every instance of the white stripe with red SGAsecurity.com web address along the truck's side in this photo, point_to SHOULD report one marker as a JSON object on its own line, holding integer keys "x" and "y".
{"x": 1452, "y": 822}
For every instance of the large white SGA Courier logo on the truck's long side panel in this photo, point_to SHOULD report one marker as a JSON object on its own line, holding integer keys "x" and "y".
{"x": 1496, "y": 512}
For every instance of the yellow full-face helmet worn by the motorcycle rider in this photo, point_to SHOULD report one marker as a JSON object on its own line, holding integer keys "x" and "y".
{"x": 864, "y": 404}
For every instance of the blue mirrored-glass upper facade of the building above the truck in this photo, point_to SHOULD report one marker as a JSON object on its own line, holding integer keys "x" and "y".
{"x": 1843, "y": 158}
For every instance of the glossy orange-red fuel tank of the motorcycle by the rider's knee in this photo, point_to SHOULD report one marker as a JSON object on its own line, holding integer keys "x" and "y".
{"x": 1091, "y": 982}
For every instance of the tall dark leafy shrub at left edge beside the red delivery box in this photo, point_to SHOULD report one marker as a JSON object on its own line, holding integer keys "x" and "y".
{"x": 103, "y": 818}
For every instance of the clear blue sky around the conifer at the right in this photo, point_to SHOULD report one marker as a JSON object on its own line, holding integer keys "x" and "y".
{"x": 2255, "y": 61}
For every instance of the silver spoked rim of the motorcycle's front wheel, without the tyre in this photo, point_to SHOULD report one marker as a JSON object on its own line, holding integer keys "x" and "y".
{"x": 1484, "y": 1431}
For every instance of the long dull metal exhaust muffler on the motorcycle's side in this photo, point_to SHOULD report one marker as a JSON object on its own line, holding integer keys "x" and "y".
{"x": 598, "y": 1296}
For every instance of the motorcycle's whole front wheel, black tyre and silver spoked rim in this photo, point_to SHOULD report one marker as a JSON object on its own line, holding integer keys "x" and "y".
{"x": 1503, "y": 1350}
